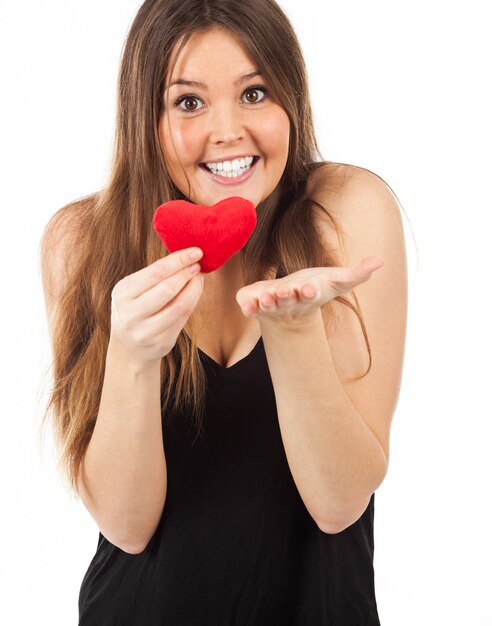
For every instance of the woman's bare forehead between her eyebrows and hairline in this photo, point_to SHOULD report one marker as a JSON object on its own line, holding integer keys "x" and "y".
{"x": 213, "y": 51}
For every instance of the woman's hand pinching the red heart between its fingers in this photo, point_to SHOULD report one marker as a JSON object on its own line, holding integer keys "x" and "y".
{"x": 150, "y": 307}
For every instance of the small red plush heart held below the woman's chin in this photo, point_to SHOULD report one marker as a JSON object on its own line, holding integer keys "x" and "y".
{"x": 219, "y": 230}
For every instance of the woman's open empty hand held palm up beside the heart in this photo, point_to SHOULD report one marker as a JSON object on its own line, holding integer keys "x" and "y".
{"x": 298, "y": 296}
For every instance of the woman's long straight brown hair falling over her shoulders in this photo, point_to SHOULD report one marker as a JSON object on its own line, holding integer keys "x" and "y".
{"x": 115, "y": 236}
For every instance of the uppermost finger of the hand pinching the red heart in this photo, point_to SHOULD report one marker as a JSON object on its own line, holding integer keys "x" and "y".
{"x": 138, "y": 283}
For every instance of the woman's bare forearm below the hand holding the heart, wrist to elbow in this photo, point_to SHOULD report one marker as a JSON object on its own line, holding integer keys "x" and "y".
{"x": 124, "y": 479}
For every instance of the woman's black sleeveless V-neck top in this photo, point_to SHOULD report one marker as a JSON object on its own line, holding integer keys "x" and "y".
{"x": 235, "y": 545}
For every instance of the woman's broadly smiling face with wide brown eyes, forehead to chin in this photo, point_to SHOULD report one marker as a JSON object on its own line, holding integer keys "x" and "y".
{"x": 230, "y": 122}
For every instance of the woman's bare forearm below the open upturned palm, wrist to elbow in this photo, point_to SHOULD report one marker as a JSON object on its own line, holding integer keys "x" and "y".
{"x": 335, "y": 459}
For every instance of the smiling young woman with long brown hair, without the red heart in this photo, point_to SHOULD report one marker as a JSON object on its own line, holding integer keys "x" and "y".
{"x": 226, "y": 431}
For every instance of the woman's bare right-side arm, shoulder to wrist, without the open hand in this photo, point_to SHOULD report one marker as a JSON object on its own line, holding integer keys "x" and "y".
{"x": 336, "y": 433}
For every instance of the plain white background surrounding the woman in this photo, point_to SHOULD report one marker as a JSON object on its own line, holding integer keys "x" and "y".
{"x": 401, "y": 88}
